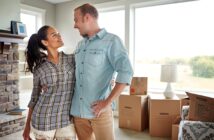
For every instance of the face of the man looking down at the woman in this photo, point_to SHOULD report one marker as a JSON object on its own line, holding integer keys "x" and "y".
{"x": 80, "y": 22}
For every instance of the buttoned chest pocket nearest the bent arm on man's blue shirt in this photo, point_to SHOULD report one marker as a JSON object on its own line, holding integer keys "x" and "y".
{"x": 94, "y": 57}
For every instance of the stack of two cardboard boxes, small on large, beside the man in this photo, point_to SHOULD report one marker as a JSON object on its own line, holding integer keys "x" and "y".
{"x": 133, "y": 108}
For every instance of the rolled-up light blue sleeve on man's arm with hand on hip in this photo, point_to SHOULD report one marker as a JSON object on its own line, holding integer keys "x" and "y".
{"x": 120, "y": 61}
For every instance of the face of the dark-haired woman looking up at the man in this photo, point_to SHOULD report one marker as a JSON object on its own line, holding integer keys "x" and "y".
{"x": 54, "y": 39}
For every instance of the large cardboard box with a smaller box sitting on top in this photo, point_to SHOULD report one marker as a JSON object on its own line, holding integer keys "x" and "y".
{"x": 133, "y": 112}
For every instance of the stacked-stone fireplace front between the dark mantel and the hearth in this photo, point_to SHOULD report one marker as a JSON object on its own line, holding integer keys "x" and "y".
{"x": 9, "y": 92}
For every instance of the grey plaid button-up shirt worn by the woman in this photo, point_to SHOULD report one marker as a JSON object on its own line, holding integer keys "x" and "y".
{"x": 51, "y": 106}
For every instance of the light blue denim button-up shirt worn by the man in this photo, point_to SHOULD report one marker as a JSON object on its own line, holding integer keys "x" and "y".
{"x": 97, "y": 59}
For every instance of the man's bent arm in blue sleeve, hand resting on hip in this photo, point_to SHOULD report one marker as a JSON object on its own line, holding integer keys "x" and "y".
{"x": 120, "y": 62}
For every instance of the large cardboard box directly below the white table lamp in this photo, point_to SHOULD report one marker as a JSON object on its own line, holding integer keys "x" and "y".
{"x": 161, "y": 116}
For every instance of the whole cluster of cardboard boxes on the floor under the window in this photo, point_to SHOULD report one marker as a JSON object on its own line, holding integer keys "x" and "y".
{"x": 138, "y": 111}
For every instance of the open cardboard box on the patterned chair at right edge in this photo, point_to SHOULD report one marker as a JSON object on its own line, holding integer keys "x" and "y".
{"x": 201, "y": 108}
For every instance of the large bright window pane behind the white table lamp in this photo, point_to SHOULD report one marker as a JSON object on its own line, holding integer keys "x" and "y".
{"x": 181, "y": 34}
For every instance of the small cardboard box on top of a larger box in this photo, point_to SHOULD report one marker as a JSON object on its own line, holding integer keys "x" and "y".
{"x": 138, "y": 86}
